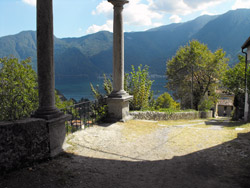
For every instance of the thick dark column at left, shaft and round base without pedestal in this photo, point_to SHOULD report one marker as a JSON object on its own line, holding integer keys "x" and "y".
{"x": 45, "y": 61}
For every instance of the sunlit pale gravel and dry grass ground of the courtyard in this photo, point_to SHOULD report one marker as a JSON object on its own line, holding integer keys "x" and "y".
{"x": 154, "y": 140}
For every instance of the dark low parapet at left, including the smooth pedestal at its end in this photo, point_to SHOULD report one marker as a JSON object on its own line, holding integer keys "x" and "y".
{"x": 28, "y": 141}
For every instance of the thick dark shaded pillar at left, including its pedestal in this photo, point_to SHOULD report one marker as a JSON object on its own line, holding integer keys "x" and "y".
{"x": 54, "y": 118}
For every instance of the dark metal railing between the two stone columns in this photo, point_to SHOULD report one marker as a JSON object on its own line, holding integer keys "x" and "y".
{"x": 85, "y": 114}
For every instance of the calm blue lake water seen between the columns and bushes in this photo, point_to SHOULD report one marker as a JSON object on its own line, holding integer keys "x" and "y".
{"x": 78, "y": 88}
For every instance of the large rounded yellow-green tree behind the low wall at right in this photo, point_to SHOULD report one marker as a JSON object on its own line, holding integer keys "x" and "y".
{"x": 194, "y": 66}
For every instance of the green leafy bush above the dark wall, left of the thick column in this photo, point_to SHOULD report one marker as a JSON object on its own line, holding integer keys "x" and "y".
{"x": 18, "y": 93}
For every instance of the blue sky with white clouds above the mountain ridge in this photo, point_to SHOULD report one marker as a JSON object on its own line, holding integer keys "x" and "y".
{"x": 75, "y": 18}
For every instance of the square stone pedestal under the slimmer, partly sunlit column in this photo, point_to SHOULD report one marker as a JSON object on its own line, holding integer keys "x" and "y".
{"x": 118, "y": 109}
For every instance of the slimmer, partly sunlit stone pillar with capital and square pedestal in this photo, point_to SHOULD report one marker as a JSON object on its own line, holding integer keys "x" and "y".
{"x": 118, "y": 100}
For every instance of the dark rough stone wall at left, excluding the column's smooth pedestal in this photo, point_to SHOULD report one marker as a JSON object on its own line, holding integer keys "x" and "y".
{"x": 22, "y": 143}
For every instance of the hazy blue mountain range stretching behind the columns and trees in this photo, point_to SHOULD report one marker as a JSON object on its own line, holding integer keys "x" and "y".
{"x": 91, "y": 55}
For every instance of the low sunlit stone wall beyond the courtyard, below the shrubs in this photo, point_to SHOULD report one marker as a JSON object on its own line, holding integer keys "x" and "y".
{"x": 151, "y": 115}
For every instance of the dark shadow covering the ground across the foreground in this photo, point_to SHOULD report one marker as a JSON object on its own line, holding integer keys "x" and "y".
{"x": 223, "y": 166}
